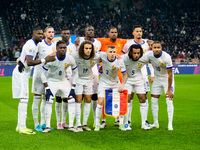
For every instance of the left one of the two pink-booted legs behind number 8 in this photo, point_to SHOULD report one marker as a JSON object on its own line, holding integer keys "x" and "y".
{"x": 58, "y": 111}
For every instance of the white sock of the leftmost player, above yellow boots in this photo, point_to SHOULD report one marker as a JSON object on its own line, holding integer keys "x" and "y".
{"x": 22, "y": 113}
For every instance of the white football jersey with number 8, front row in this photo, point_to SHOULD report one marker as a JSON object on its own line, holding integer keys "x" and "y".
{"x": 57, "y": 69}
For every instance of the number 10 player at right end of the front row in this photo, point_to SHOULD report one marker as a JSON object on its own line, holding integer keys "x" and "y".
{"x": 164, "y": 79}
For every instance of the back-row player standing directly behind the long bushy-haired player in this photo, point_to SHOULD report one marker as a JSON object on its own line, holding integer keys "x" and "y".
{"x": 89, "y": 35}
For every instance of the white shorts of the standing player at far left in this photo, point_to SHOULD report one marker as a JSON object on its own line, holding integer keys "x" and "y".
{"x": 20, "y": 84}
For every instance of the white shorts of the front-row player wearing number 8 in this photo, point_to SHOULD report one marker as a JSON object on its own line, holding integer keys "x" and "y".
{"x": 61, "y": 89}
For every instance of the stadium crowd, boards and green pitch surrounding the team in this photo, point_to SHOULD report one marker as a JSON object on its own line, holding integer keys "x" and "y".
{"x": 175, "y": 23}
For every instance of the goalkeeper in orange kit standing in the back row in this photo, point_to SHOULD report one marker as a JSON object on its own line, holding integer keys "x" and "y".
{"x": 118, "y": 43}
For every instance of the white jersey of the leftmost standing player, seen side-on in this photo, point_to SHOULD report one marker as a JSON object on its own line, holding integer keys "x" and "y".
{"x": 29, "y": 49}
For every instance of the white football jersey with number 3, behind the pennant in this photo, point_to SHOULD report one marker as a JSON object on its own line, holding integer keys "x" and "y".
{"x": 110, "y": 69}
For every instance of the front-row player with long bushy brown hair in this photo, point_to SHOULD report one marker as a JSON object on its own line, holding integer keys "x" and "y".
{"x": 86, "y": 58}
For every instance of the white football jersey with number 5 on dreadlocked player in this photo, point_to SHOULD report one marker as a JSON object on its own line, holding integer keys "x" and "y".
{"x": 133, "y": 69}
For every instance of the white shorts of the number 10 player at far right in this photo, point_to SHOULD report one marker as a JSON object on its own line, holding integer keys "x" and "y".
{"x": 159, "y": 84}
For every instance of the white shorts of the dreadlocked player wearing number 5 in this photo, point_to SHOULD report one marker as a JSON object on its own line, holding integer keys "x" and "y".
{"x": 135, "y": 88}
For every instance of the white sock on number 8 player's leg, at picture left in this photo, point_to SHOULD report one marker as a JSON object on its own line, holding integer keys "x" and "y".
{"x": 48, "y": 112}
